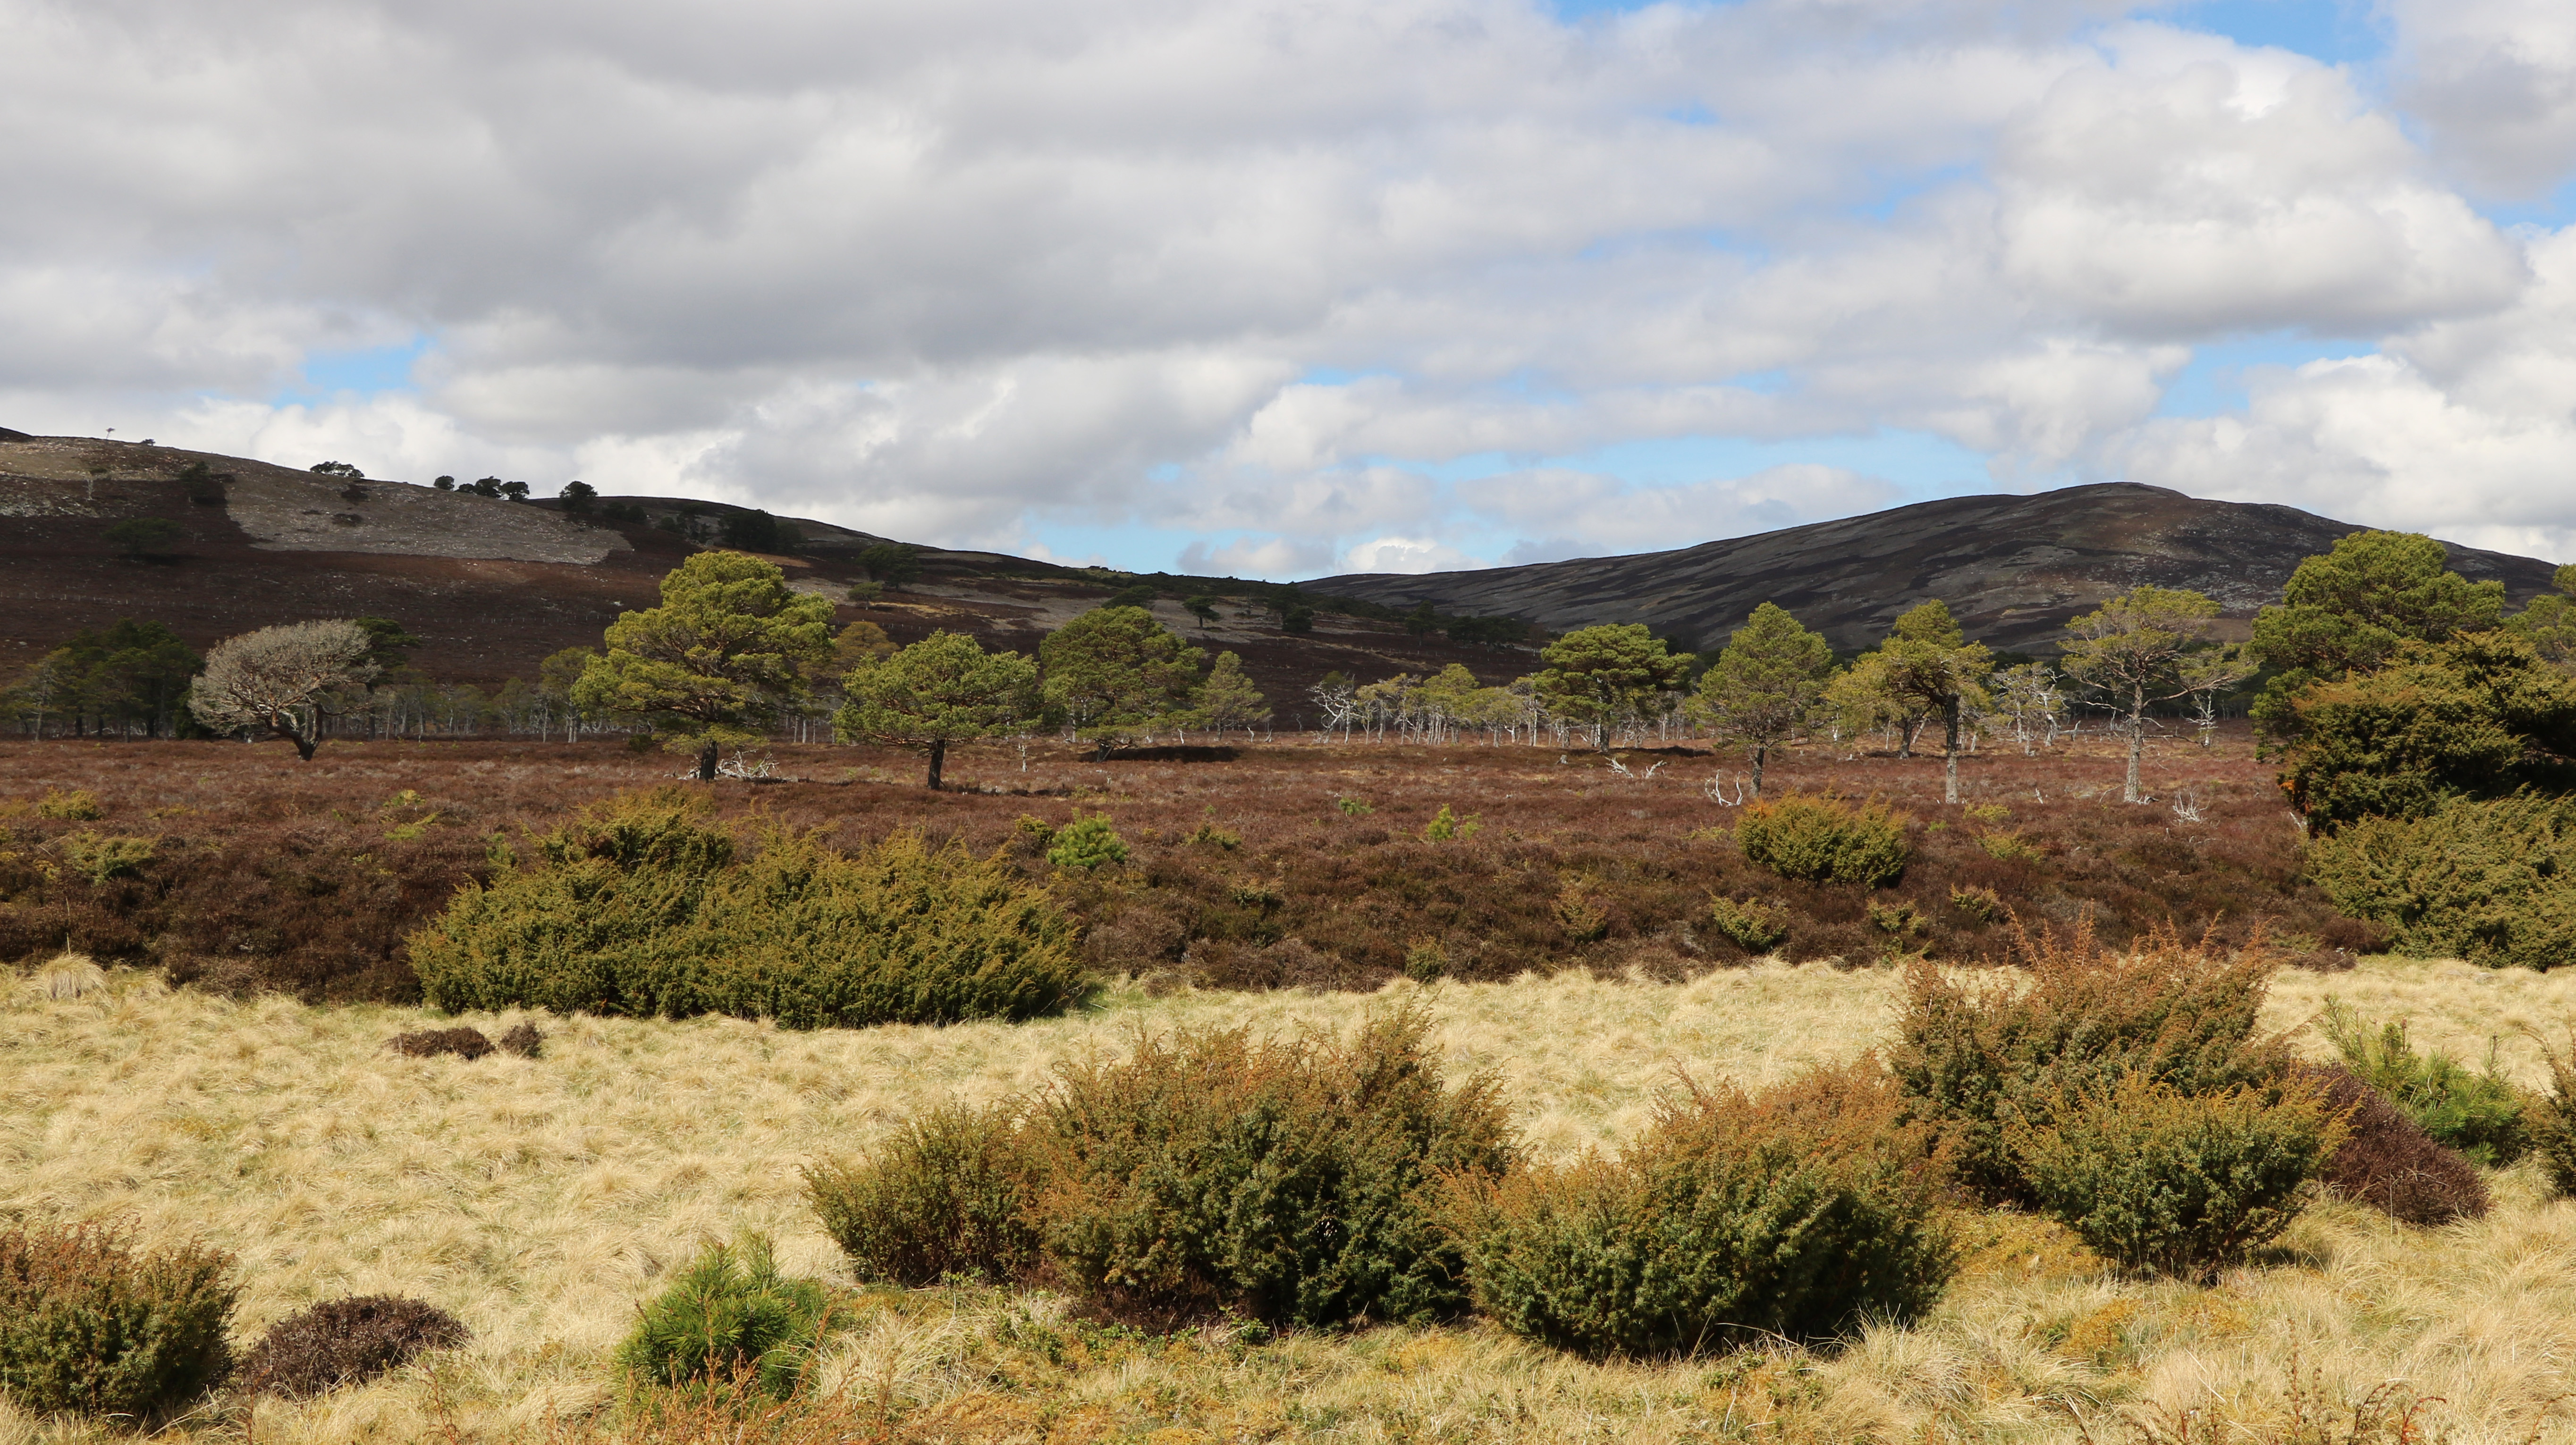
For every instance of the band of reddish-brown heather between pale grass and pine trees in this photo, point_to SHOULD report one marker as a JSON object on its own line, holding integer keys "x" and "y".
{"x": 1315, "y": 872}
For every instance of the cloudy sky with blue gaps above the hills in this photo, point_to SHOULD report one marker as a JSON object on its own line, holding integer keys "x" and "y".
{"x": 1302, "y": 287}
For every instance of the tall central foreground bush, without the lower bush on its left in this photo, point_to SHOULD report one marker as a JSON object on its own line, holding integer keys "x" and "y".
{"x": 1289, "y": 1184}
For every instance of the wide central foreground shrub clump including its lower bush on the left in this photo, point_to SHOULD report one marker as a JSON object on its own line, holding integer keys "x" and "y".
{"x": 1282, "y": 1181}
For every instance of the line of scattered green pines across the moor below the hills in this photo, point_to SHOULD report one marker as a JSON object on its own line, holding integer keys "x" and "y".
{"x": 735, "y": 656}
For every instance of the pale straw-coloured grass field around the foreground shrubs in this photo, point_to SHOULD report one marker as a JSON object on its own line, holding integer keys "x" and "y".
{"x": 542, "y": 1199}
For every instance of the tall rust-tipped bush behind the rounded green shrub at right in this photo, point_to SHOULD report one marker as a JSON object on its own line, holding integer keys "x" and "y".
{"x": 1982, "y": 1060}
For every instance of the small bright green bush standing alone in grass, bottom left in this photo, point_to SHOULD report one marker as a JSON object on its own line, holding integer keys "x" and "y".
{"x": 730, "y": 1320}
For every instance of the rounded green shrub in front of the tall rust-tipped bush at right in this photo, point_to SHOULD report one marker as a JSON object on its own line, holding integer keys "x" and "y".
{"x": 2155, "y": 1178}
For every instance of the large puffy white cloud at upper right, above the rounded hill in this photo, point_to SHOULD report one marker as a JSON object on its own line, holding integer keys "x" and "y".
{"x": 2193, "y": 187}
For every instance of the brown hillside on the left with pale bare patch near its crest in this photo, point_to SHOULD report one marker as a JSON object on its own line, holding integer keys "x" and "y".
{"x": 496, "y": 586}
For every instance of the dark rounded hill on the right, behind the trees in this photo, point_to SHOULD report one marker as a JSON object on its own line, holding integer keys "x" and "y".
{"x": 2011, "y": 568}
